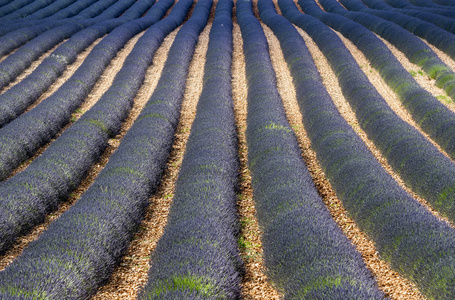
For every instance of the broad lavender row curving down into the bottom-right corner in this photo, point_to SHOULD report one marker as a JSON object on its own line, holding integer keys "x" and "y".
{"x": 406, "y": 235}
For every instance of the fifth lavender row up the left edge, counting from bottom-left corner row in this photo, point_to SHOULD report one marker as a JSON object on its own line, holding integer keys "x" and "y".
{"x": 17, "y": 62}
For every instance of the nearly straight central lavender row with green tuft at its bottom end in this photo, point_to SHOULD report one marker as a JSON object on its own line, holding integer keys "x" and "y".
{"x": 197, "y": 257}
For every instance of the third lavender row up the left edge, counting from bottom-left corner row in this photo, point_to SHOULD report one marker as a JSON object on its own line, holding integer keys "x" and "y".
{"x": 20, "y": 138}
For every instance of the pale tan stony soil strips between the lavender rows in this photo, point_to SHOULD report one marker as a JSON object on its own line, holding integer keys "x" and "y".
{"x": 131, "y": 273}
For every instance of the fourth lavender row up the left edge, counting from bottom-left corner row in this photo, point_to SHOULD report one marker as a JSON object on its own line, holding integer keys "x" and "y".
{"x": 14, "y": 101}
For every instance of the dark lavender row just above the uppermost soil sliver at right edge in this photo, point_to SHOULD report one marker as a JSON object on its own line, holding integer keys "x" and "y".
{"x": 440, "y": 38}
